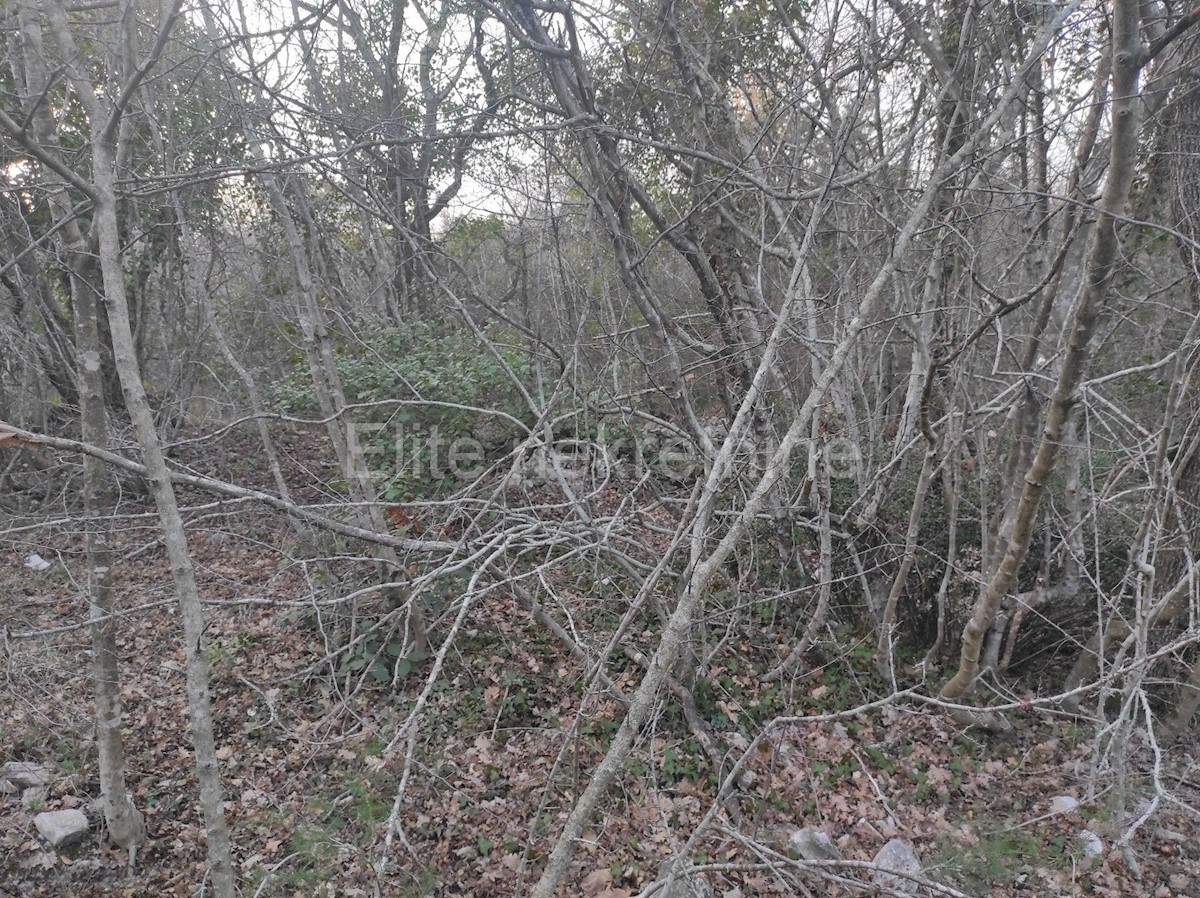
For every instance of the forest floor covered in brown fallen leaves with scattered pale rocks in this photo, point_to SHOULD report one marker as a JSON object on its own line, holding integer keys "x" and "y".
{"x": 313, "y": 763}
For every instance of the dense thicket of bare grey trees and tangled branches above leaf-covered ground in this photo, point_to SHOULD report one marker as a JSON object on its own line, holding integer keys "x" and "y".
{"x": 868, "y": 321}
